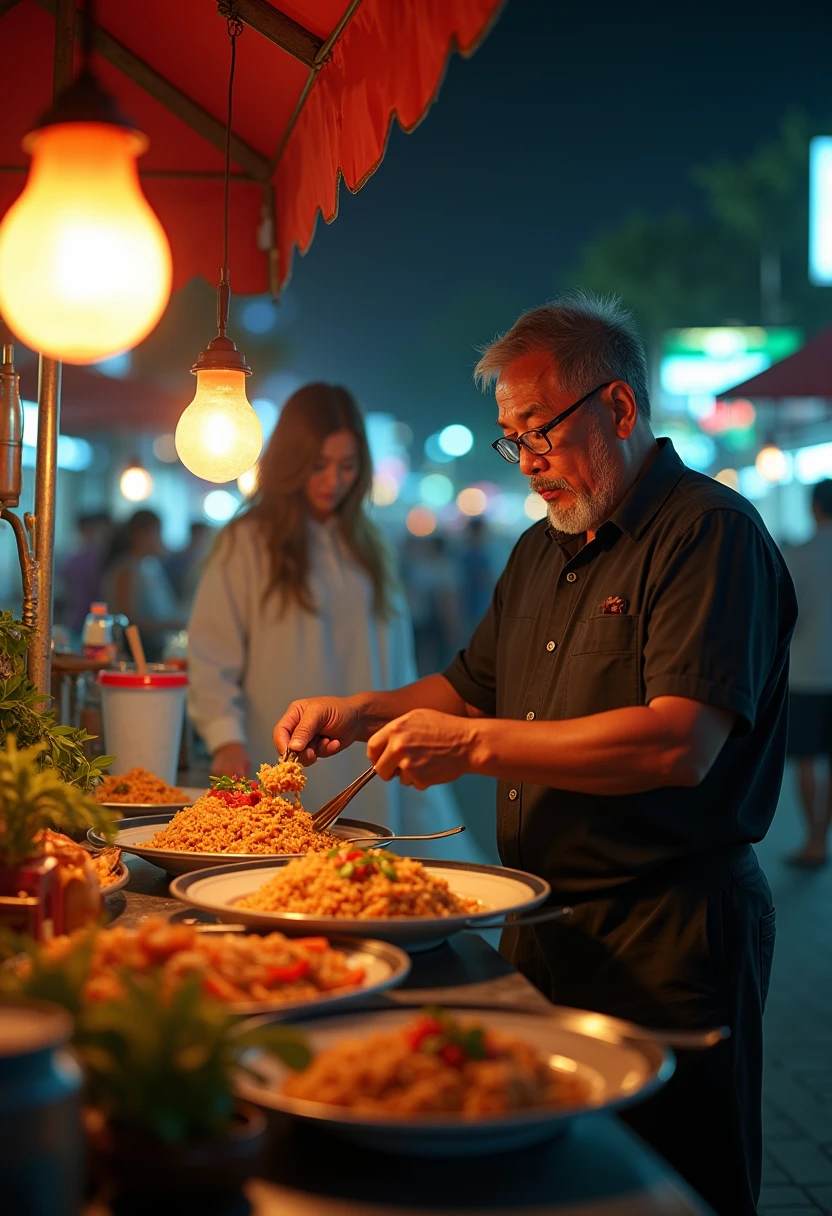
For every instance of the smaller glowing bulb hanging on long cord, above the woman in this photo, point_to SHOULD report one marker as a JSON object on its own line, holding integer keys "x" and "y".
{"x": 220, "y": 437}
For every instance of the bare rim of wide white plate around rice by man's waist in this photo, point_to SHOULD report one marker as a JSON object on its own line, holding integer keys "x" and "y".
{"x": 501, "y": 892}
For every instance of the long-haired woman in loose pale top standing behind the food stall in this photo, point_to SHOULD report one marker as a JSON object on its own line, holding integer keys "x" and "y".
{"x": 300, "y": 593}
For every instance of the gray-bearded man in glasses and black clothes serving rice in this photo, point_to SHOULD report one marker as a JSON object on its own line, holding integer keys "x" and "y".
{"x": 628, "y": 689}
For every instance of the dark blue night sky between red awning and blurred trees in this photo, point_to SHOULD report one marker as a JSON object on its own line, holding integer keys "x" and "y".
{"x": 569, "y": 119}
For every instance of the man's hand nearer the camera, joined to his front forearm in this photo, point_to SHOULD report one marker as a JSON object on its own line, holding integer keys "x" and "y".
{"x": 424, "y": 748}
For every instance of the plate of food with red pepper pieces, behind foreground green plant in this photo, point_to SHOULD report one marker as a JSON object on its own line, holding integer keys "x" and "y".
{"x": 250, "y": 973}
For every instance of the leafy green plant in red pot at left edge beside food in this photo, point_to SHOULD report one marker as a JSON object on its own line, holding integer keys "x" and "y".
{"x": 35, "y": 896}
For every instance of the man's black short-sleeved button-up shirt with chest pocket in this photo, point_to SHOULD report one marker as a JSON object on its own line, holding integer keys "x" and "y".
{"x": 683, "y": 593}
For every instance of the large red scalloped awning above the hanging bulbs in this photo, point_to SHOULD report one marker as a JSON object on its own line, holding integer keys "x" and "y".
{"x": 317, "y": 88}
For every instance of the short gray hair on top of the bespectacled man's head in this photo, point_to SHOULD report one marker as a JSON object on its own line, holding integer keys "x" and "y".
{"x": 592, "y": 340}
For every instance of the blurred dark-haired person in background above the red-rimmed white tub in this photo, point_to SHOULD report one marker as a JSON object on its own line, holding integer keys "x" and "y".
{"x": 136, "y": 583}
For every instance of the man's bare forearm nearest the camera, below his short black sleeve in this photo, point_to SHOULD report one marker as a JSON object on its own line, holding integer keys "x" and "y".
{"x": 621, "y": 752}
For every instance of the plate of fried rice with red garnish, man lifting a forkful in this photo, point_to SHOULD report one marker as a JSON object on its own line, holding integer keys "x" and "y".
{"x": 240, "y": 821}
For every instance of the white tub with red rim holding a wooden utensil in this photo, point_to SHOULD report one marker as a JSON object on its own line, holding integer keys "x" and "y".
{"x": 143, "y": 720}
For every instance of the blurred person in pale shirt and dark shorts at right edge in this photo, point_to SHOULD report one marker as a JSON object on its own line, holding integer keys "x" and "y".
{"x": 811, "y": 679}
